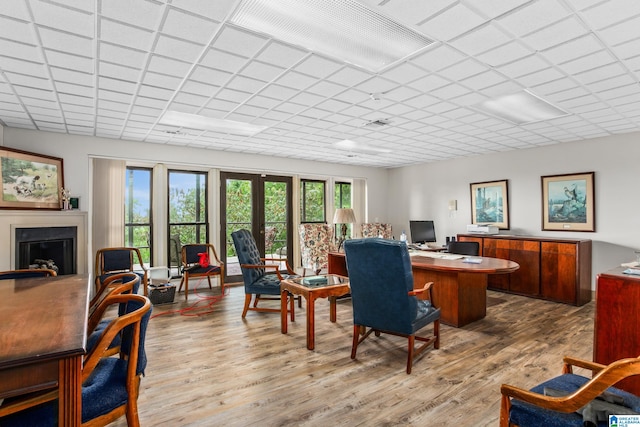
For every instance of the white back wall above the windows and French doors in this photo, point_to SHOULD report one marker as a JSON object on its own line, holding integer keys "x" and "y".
{"x": 77, "y": 152}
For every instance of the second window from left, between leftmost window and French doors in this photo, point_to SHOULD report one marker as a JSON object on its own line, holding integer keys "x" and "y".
{"x": 188, "y": 206}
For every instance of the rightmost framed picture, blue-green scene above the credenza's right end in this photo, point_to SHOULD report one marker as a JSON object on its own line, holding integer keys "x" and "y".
{"x": 568, "y": 202}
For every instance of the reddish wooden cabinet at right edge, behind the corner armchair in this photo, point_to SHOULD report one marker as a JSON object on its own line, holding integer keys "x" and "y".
{"x": 615, "y": 334}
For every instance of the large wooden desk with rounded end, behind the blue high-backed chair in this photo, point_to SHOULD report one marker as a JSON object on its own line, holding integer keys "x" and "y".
{"x": 460, "y": 288}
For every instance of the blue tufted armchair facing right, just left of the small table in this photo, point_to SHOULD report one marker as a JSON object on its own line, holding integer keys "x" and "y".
{"x": 254, "y": 274}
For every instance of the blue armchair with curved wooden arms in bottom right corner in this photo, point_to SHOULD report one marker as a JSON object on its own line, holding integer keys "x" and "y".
{"x": 572, "y": 400}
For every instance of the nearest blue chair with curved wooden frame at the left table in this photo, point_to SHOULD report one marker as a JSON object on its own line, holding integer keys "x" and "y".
{"x": 110, "y": 385}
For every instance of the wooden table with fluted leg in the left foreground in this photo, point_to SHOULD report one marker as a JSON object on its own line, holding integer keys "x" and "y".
{"x": 43, "y": 339}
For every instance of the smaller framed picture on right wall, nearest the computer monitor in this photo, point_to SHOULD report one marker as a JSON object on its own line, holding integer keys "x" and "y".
{"x": 490, "y": 204}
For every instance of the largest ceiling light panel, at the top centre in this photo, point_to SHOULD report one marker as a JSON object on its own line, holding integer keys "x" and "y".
{"x": 345, "y": 29}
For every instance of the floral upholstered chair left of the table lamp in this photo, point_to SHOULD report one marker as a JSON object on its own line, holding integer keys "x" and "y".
{"x": 316, "y": 241}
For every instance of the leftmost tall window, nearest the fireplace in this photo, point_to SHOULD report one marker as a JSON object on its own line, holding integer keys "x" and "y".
{"x": 137, "y": 211}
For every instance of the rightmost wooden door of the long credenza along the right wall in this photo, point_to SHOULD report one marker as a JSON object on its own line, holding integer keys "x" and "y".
{"x": 559, "y": 272}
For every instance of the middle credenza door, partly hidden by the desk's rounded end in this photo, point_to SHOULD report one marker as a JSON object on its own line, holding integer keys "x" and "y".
{"x": 525, "y": 280}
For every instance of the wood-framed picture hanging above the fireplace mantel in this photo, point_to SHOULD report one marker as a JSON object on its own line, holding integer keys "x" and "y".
{"x": 29, "y": 180}
